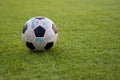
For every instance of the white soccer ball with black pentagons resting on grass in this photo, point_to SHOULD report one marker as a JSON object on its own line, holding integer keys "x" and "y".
{"x": 39, "y": 33}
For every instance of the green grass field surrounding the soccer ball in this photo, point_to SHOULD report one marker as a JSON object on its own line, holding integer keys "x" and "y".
{"x": 88, "y": 46}
